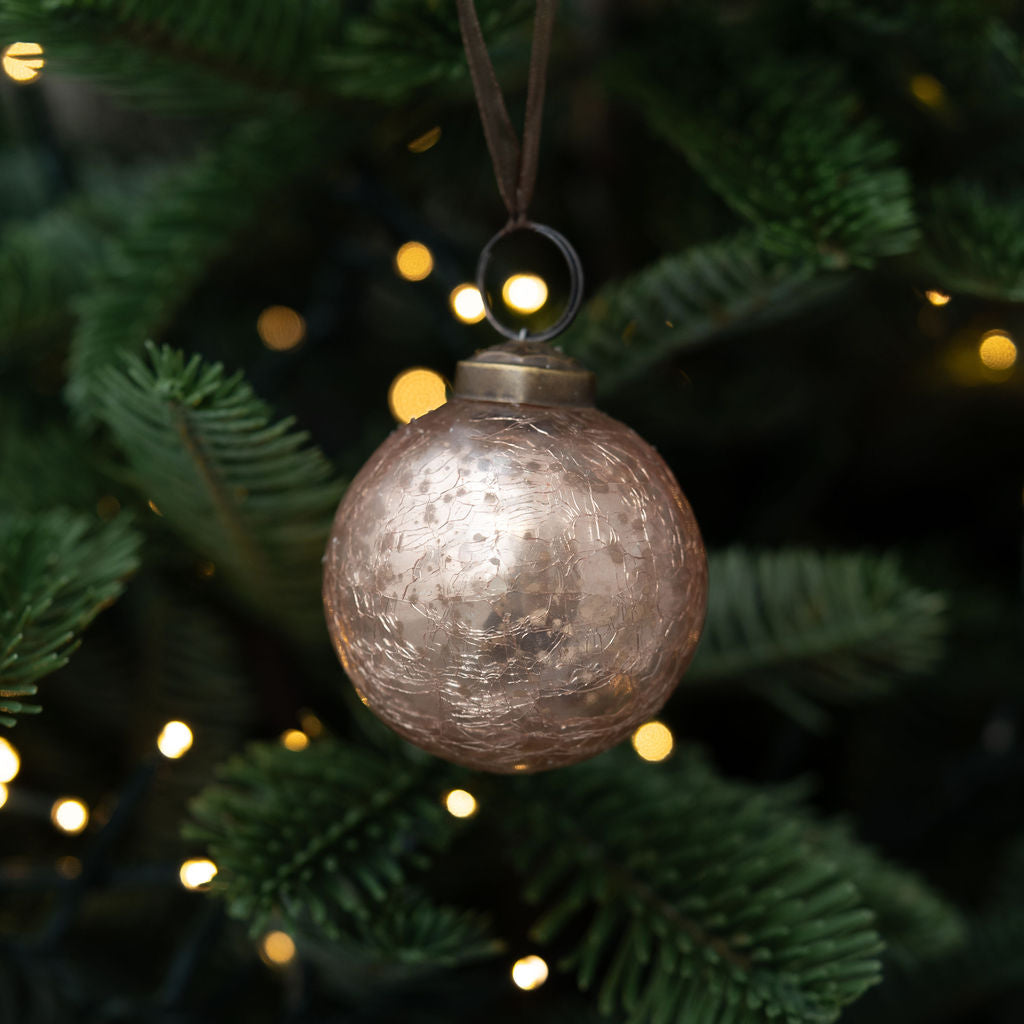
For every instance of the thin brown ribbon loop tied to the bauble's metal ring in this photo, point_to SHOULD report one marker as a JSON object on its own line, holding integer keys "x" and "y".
{"x": 516, "y": 166}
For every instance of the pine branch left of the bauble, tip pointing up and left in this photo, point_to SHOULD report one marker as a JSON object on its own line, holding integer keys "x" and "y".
{"x": 247, "y": 493}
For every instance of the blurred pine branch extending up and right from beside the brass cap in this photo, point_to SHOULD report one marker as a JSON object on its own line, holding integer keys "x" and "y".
{"x": 690, "y": 300}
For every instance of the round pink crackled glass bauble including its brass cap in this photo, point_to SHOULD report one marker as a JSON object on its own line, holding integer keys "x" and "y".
{"x": 514, "y": 586}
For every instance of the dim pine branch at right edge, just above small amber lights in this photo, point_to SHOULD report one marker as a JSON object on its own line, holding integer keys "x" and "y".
{"x": 973, "y": 242}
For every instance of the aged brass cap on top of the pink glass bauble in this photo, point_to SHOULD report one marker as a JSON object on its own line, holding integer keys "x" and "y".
{"x": 525, "y": 372}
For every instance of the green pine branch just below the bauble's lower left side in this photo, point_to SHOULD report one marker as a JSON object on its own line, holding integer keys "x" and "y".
{"x": 326, "y": 841}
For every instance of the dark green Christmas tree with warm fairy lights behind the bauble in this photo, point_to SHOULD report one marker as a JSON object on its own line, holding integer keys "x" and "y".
{"x": 227, "y": 232}
